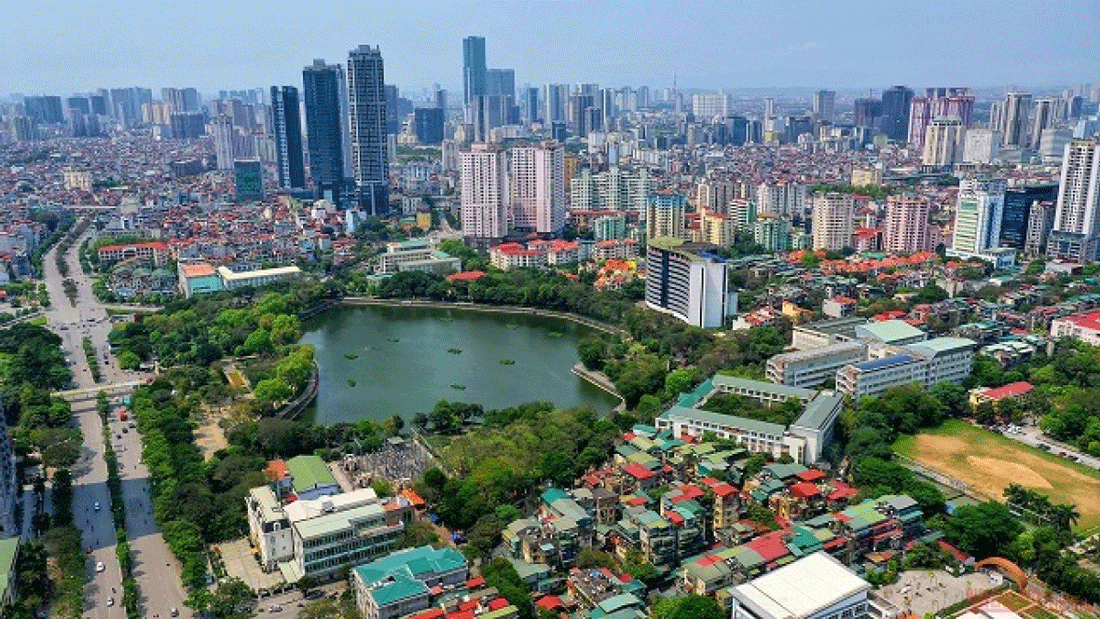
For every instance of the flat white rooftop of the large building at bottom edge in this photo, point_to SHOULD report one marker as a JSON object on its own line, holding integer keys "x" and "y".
{"x": 796, "y": 591}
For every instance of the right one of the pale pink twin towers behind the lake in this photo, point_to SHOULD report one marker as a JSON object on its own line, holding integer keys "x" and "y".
{"x": 538, "y": 189}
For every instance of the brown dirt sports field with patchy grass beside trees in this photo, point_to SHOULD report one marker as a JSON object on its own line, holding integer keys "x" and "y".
{"x": 989, "y": 462}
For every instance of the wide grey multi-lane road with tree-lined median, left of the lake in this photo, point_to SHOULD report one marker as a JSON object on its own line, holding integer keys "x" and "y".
{"x": 156, "y": 570}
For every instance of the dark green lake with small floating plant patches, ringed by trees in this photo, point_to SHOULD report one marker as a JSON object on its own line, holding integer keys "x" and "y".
{"x": 377, "y": 361}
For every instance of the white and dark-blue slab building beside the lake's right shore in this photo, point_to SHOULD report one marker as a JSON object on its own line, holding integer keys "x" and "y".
{"x": 689, "y": 283}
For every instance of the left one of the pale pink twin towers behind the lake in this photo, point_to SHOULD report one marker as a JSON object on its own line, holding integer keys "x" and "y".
{"x": 485, "y": 183}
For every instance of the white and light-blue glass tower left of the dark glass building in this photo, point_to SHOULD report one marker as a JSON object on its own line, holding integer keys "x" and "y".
{"x": 978, "y": 215}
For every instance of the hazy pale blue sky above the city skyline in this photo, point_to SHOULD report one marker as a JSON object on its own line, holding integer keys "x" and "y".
{"x": 63, "y": 47}
